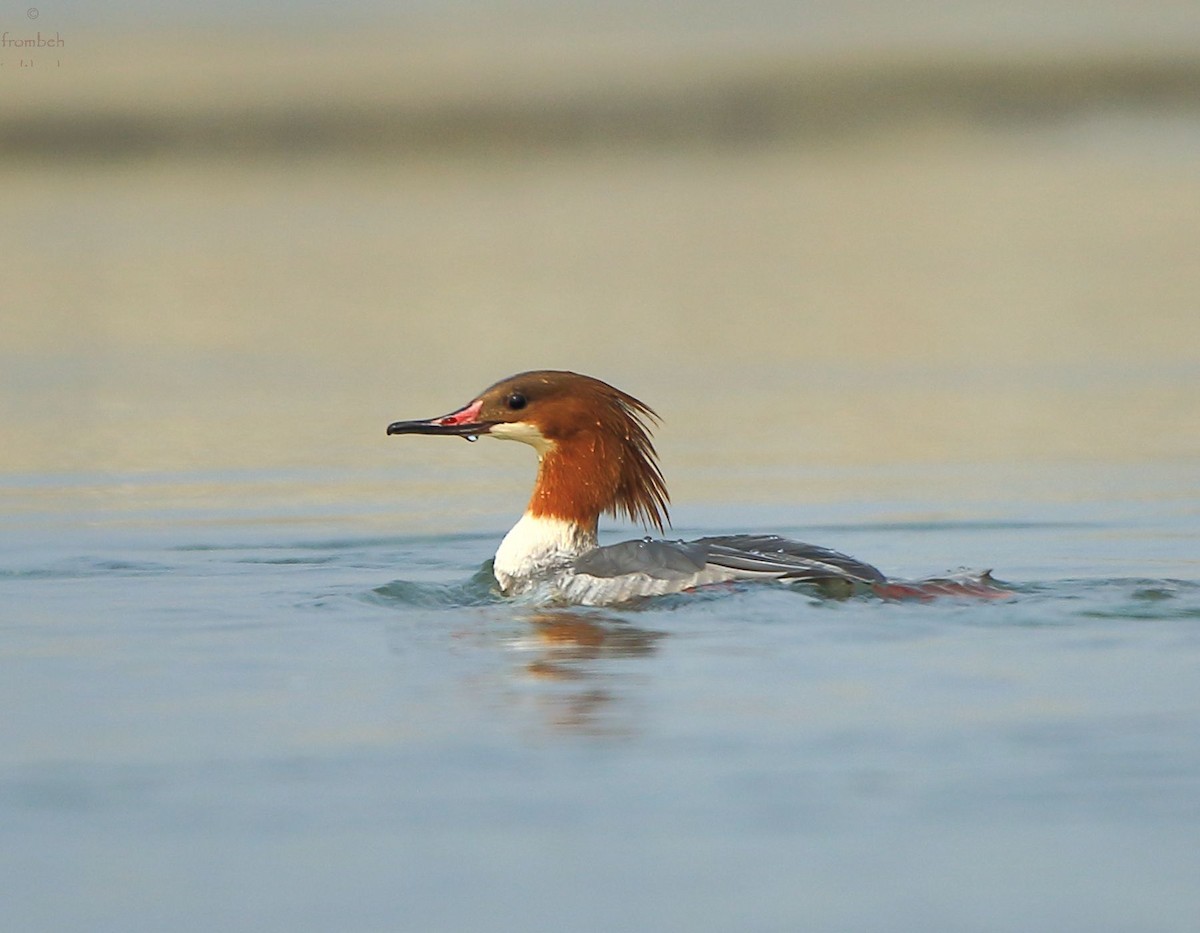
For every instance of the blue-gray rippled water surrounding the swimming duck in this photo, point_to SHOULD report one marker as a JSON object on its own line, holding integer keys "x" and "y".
{"x": 293, "y": 723}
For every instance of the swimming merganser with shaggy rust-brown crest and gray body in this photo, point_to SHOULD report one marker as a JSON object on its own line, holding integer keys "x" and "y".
{"x": 596, "y": 456}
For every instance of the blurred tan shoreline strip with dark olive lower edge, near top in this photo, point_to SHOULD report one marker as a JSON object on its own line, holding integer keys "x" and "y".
{"x": 211, "y": 98}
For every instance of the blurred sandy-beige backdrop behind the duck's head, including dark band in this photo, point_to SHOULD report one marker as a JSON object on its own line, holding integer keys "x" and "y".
{"x": 225, "y": 255}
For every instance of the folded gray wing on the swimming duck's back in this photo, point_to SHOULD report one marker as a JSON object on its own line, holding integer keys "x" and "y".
{"x": 751, "y": 556}
